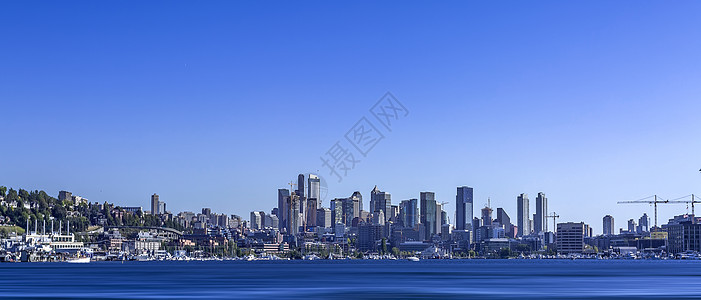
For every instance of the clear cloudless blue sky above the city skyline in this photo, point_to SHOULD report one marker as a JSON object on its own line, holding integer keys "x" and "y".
{"x": 219, "y": 104}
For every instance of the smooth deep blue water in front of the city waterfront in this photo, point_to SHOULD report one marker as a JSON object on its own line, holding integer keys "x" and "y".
{"x": 455, "y": 279}
